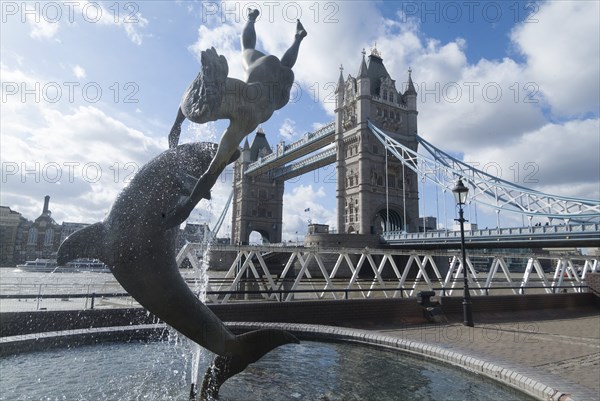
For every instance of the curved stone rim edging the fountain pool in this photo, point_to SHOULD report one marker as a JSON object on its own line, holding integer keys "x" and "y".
{"x": 512, "y": 376}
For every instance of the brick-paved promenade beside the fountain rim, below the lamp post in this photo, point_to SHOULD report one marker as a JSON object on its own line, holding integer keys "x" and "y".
{"x": 563, "y": 351}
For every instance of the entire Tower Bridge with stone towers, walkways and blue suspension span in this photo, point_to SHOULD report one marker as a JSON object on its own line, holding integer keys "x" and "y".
{"x": 373, "y": 144}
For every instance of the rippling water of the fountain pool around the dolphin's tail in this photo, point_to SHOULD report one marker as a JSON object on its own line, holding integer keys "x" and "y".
{"x": 308, "y": 371}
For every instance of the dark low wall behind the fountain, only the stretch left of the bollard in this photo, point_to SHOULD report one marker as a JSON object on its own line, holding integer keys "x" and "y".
{"x": 341, "y": 313}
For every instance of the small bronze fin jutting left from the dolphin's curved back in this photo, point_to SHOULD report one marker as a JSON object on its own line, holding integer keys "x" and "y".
{"x": 84, "y": 243}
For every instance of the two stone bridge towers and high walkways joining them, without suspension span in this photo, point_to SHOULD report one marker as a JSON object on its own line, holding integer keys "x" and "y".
{"x": 374, "y": 193}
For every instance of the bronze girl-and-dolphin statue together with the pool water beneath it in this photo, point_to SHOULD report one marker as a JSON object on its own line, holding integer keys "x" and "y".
{"x": 137, "y": 241}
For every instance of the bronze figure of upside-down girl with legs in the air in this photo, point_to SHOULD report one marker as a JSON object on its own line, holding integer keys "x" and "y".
{"x": 213, "y": 96}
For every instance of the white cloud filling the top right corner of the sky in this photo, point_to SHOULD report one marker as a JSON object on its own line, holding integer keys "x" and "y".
{"x": 561, "y": 50}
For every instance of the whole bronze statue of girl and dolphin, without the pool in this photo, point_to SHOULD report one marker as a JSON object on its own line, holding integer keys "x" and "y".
{"x": 137, "y": 238}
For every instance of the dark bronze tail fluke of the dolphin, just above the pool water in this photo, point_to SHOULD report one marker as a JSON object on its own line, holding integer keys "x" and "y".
{"x": 254, "y": 345}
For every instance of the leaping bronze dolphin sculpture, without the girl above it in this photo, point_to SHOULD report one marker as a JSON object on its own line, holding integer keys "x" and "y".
{"x": 137, "y": 241}
